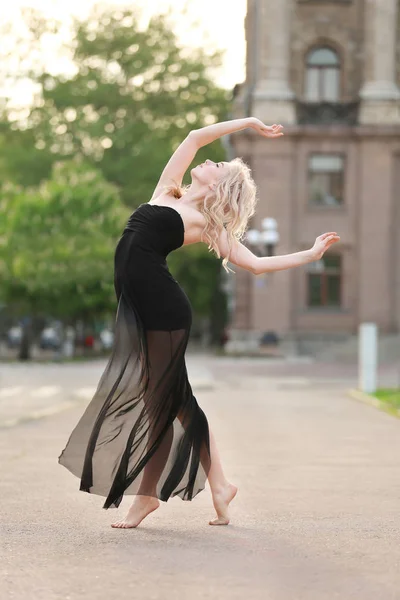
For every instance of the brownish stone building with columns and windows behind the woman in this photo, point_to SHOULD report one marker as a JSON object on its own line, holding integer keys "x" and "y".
{"x": 329, "y": 71}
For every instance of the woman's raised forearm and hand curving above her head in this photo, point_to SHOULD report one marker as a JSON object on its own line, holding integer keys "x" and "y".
{"x": 206, "y": 135}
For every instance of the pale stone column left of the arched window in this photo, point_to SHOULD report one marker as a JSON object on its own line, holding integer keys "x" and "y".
{"x": 273, "y": 98}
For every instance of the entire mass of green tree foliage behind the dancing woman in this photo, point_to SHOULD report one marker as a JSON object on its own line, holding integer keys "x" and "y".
{"x": 133, "y": 96}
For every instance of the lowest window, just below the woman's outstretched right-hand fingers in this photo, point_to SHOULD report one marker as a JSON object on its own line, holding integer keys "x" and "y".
{"x": 325, "y": 281}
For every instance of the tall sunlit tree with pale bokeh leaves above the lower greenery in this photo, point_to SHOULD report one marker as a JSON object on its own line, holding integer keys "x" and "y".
{"x": 134, "y": 97}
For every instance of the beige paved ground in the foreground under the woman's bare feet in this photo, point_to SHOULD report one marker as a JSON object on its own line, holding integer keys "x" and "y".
{"x": 317, "y": 515}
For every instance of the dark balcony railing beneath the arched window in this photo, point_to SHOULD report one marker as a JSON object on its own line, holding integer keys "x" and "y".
{"x": 327, "y": 113}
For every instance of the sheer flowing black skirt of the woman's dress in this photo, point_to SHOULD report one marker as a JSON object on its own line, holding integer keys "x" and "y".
{"x": 143, "y": 432}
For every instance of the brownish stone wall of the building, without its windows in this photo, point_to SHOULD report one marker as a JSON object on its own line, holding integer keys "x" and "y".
{"x": 369, "y": 219}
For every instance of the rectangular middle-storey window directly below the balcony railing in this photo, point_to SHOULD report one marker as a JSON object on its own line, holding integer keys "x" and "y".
{"x": 325, "y": 179}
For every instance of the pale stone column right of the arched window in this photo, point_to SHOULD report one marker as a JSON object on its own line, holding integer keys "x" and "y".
{"x": 380, "y": 94}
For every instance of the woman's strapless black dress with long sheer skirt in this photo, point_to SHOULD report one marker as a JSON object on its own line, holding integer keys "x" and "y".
{"x": 144, "y": 432}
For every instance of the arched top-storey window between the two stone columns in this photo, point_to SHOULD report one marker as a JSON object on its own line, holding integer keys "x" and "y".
{"x": 322, "y": 76}
